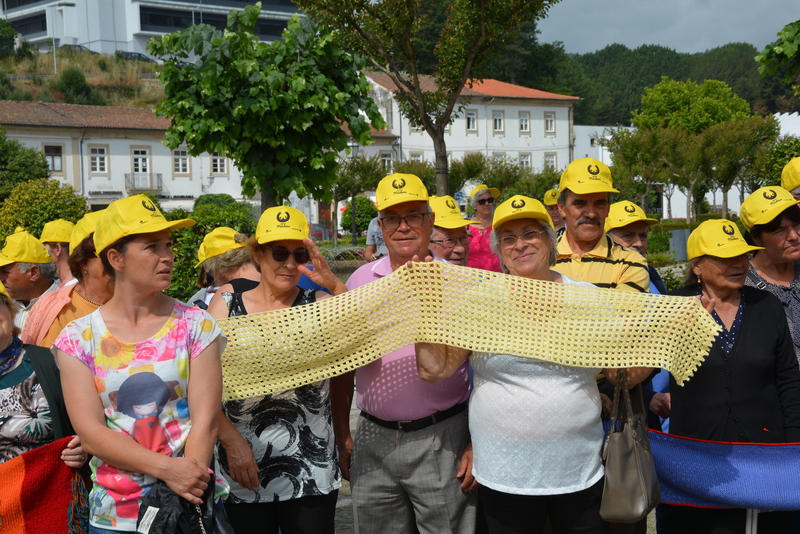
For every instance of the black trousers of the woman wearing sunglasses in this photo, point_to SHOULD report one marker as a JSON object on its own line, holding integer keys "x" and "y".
{"x": 305, "y": 515}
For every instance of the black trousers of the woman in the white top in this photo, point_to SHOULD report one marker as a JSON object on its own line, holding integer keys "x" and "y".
{"x": 570, "y": 513}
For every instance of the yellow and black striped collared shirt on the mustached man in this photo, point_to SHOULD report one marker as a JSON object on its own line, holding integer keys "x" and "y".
{"x": 607, "y": 265}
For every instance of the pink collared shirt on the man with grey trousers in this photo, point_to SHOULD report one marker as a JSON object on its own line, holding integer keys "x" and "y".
{"x": 390, "y": 388}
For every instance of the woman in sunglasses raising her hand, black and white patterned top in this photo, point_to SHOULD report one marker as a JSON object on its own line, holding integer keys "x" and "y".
{"x": 278, "y": 451}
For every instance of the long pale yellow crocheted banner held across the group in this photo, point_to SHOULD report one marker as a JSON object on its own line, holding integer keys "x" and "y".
{"x": 470, "y": 308}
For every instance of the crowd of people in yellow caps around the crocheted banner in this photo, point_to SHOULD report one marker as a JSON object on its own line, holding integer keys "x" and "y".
{"x": 448, "y": 440}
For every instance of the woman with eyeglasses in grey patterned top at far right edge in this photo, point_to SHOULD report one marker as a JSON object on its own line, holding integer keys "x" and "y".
{"x": 771, "y": 218}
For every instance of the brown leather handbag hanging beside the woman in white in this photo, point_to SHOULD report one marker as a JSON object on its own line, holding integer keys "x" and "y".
{"x": 631, "y": 488}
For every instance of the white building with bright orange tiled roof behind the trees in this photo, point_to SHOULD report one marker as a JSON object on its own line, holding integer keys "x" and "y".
{"x": 528, "y": 126}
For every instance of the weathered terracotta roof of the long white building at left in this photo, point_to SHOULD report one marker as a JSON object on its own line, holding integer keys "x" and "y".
{"x": 72, "y": 116}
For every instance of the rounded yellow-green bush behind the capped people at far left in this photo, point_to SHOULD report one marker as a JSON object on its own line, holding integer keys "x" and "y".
{"x": 36, "y": 202}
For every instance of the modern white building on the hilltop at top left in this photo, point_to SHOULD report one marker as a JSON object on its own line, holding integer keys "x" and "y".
{"x": 108, "y": 25}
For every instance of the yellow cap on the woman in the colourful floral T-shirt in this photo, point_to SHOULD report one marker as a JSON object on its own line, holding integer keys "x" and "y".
{"x": 132, "y": 216}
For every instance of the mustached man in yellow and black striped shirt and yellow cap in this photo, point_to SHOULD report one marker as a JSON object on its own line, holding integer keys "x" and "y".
{"x": 585, "y": 252}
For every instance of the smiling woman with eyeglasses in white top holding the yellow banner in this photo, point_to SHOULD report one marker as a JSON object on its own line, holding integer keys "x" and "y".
{"x": 535, "y": 426}
